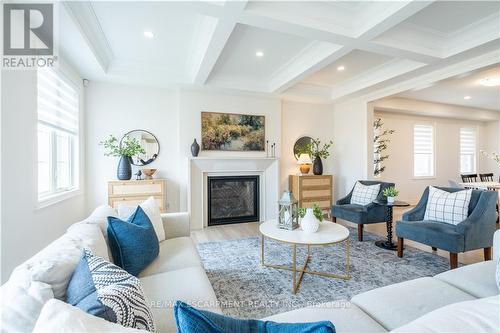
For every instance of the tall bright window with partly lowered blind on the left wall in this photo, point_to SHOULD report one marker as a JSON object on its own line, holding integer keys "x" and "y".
{"x": 58, "y": 114}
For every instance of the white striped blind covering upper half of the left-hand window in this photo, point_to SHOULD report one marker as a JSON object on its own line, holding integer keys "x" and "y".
{"x": 57, "y": 101}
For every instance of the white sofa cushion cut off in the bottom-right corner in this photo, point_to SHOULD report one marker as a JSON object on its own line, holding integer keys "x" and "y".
{"x": 481, "y": 315}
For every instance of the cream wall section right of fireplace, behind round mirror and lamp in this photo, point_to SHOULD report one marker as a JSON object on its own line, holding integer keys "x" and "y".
{"x": 304, "y": 119}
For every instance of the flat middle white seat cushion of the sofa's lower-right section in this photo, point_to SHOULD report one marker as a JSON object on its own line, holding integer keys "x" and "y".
{"x": 398, "y": 304}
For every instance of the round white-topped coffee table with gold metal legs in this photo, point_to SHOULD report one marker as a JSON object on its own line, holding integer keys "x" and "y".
{"x": 328, "y": 234}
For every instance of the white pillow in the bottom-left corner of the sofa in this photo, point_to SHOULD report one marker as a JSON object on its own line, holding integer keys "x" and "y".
{"x": 21, "y": 305}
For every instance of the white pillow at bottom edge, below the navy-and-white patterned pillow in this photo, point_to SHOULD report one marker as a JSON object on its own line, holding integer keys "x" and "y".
{"x": 58, "y": 316}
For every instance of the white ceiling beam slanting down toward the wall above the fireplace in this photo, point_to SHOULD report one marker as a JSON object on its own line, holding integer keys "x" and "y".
{"x": 213, "y": 45}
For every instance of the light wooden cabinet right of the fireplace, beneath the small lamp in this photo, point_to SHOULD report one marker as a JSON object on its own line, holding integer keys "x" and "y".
{"x": 310, "y": 189}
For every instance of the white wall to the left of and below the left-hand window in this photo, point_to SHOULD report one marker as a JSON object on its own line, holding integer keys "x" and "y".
{"x": 25, "y": 229}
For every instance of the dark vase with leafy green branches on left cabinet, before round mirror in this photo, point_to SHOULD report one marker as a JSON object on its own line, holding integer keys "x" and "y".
{"x": 127, "y": 148}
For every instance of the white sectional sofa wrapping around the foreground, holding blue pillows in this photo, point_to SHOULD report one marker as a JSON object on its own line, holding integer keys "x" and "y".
{"x": 438, "y": 303}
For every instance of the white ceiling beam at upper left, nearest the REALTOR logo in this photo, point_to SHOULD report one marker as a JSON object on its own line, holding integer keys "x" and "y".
{"x": 87, "y": 23}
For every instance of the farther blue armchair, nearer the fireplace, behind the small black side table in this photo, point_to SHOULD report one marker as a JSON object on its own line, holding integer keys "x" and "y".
{"x": 361, "y": 215}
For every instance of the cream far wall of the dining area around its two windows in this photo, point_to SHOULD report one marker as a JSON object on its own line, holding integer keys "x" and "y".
{"x": 399, "y": 166}
